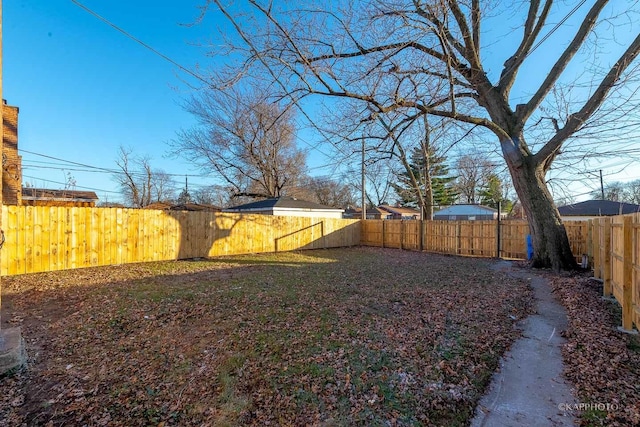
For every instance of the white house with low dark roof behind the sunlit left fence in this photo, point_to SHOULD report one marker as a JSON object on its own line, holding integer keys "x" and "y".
{"x": 287, "y": 206}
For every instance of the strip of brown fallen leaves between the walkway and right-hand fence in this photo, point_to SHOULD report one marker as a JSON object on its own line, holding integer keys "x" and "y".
{"x": 602, "y": 363}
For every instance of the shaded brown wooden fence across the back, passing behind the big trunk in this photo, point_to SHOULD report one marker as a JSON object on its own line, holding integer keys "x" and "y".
{"x": 466, "y": 238}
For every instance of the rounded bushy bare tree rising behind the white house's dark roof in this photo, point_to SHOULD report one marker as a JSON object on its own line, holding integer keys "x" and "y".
{"x": 246, "y": 140}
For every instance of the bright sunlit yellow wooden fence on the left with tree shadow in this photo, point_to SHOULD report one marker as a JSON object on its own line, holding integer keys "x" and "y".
{"x": 57, "y": 238}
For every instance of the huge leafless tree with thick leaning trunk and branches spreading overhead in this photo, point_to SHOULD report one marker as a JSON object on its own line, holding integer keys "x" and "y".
{"x": 426, "y": 57}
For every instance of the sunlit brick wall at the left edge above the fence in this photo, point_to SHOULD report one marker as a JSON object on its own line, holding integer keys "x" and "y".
{"x": 11, "y": 161}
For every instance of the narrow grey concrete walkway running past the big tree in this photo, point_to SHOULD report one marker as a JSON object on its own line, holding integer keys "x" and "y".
{"x": 529, "y": 389}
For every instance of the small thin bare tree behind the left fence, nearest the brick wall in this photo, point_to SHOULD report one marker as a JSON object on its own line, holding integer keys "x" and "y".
{"x": 140, "y": 184}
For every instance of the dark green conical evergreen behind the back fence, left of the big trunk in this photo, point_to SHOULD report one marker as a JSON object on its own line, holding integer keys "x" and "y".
{"x": 441, "y": 182}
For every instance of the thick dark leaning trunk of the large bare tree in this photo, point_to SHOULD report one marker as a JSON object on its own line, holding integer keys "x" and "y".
{"x": 551, "y": 247}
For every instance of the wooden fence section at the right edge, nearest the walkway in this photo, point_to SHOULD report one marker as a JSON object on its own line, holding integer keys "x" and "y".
{"x": 616, "y": 260}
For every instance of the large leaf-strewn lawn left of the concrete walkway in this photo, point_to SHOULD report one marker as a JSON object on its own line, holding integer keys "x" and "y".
{"x": 358, "y": 336}
